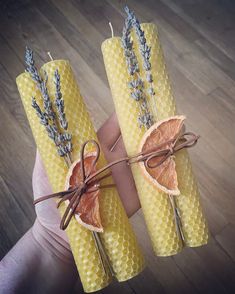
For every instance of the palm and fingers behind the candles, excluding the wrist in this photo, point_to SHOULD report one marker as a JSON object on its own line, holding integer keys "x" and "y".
{"x": 47, "y": 213}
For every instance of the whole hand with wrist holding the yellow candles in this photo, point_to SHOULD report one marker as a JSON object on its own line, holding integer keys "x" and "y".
{"x": 41, "y": 260}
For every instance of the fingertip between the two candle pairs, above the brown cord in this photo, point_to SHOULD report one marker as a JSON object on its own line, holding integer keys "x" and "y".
{"x": 109, "y": 132}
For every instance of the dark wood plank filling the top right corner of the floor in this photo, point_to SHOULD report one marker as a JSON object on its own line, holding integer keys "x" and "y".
{"x": 215, "y": 24}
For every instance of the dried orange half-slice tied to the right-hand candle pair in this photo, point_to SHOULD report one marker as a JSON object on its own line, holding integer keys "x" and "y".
{"x": 164, "y": 176}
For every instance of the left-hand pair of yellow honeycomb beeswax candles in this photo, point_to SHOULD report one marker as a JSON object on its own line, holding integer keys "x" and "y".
{"x": 118, "y": 237}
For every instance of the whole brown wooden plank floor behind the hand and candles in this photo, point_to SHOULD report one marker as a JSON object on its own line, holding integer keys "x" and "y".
{"x": 198, "y": 39}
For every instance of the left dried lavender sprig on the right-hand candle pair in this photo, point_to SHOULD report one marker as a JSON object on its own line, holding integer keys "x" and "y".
{"x": 137, "y": 85}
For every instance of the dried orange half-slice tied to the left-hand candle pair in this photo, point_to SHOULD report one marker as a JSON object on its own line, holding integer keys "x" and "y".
{"x": 88, "y": 210}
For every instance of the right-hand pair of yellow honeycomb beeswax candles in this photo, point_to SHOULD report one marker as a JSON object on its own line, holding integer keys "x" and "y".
{"x": 156, "y": 205}
